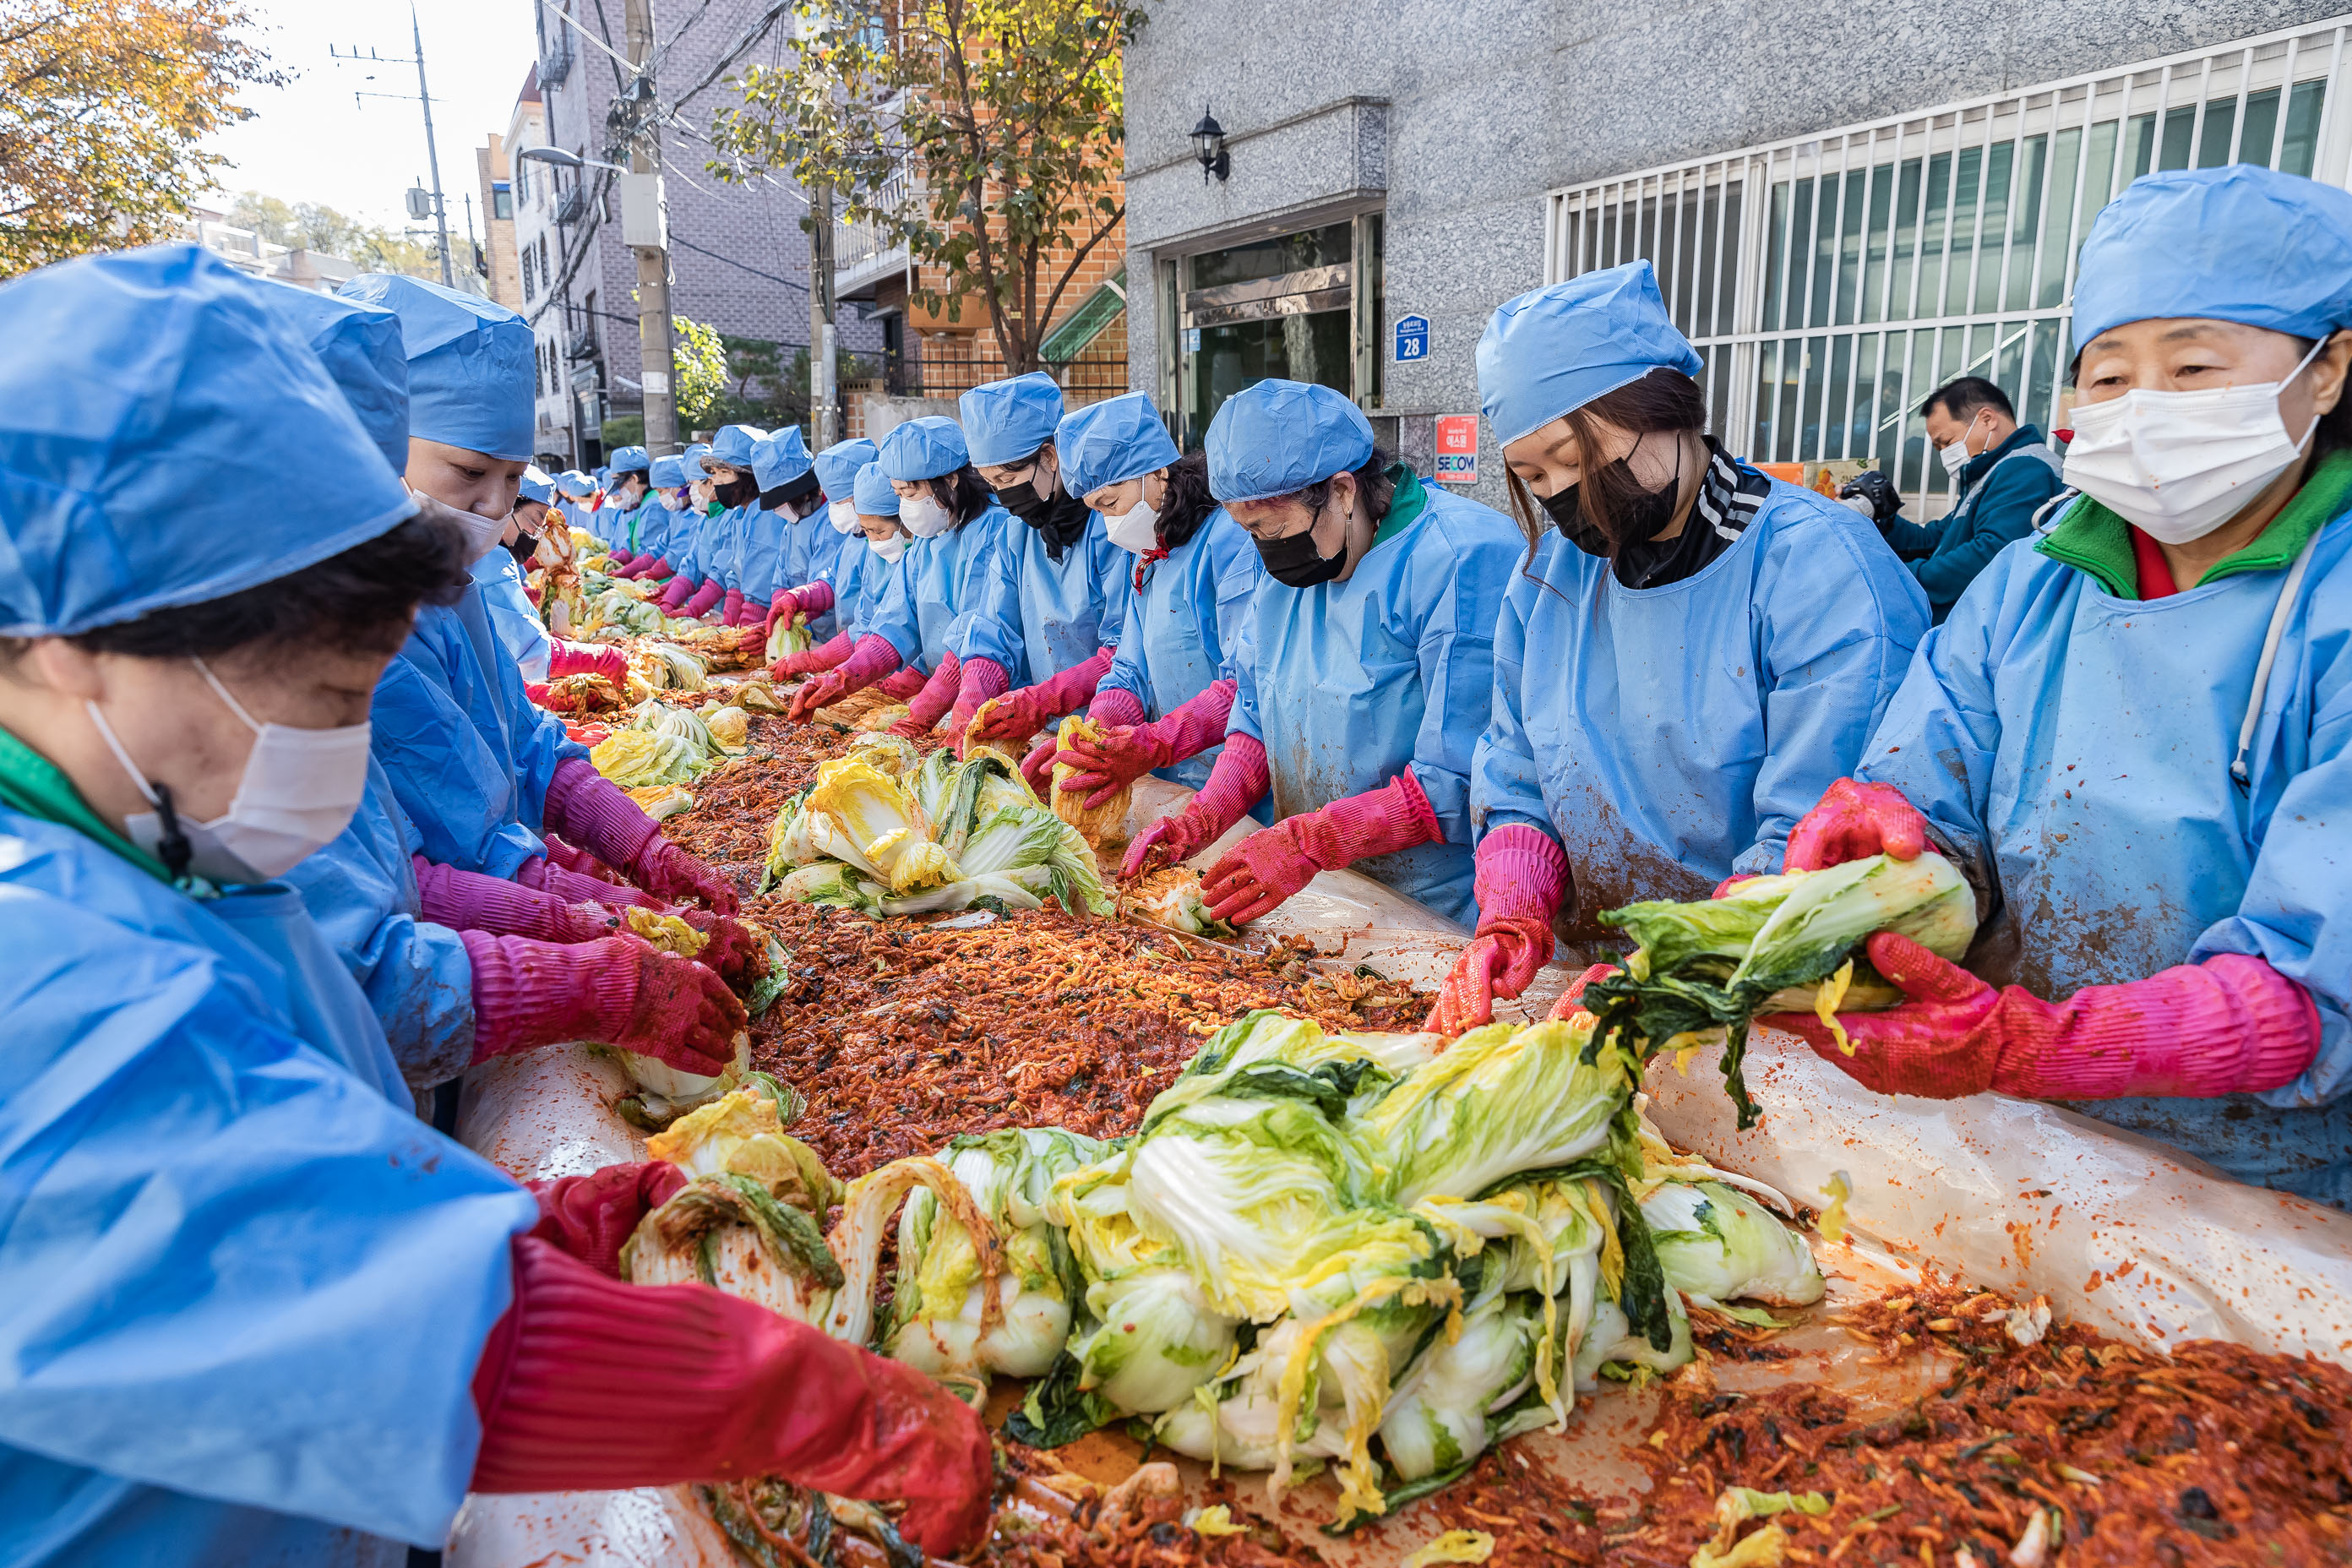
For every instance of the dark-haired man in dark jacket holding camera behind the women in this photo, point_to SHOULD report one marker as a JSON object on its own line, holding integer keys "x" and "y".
{"x": 2005, "y": 476}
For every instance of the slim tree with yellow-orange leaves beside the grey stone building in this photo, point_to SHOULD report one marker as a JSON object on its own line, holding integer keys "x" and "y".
{"x": 1008, "y": 114}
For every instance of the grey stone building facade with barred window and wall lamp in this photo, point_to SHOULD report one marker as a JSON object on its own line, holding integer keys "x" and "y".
{"x": 1847, "y": 203}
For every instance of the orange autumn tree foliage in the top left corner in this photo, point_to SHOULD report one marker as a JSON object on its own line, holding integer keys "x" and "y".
{"x": 105, "y": 107}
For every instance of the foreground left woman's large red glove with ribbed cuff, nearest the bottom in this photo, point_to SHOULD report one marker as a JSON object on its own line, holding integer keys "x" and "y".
{"x": 744, "y": 1393}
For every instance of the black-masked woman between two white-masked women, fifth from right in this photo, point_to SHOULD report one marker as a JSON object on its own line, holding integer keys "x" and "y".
{"x": 1062, "y": 596}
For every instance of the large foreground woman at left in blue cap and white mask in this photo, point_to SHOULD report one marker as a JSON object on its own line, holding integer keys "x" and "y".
{"x": 255, "y": 1311}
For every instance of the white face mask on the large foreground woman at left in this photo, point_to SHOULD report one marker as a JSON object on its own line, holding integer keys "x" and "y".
{"x": 298, "y": 796}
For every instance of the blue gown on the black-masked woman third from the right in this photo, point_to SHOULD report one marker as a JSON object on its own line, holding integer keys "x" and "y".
{"x": 1351, "y": 683}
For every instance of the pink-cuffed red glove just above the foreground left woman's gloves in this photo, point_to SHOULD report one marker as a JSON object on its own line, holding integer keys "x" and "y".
{"x": 620, "y": 993}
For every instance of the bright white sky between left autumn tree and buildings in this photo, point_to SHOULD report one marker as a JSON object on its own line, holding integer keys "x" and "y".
{"x": 312, "y": 142}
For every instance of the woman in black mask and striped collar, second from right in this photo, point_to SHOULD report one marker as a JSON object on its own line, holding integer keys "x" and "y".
{"x": 1690, "y": 657}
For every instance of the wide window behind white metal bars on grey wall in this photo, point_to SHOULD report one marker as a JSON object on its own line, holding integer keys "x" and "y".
{"x": 1833, "y": 281}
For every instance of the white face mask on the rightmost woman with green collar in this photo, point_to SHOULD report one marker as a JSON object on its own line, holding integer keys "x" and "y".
{"x": 2181, "y": 464}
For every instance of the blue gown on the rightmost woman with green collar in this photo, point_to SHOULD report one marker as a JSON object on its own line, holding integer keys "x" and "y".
{"x": 2073, "y": 751}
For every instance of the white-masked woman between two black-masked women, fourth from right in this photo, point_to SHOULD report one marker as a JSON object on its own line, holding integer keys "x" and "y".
{"x": 1165, "y": 702}
